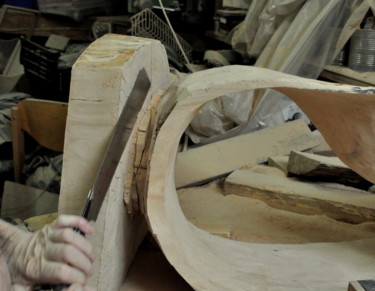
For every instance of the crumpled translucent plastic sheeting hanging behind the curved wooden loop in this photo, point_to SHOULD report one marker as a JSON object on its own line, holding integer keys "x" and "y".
{"x": 299, "y": 37}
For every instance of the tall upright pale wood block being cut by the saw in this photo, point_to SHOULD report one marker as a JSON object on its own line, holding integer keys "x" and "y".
{"x": 102, "y": 78}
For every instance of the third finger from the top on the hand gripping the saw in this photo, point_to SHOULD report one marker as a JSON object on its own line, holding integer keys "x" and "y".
{"x": 70, "y": 255}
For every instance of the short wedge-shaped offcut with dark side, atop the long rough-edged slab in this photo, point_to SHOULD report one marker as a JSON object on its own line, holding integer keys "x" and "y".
{"x": 324, "y": 168}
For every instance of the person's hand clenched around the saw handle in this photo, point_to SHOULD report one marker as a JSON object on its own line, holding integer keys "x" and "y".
{"x": 55, "y": 254}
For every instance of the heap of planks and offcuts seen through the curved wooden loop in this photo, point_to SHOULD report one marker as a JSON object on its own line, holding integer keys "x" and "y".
{"x": 289, "y": 197}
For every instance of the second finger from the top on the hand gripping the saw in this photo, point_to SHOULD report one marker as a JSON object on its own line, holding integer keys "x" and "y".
{"x": 68, "y": 236}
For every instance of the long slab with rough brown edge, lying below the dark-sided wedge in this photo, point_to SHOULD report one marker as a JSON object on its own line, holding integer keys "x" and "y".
{"x": 341, "y": 203}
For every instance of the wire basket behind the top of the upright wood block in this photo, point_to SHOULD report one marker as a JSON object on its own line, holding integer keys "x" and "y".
{"x": 147, "y": 24}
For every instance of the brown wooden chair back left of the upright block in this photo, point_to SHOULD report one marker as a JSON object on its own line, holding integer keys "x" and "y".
{"x": 44, "y": 121}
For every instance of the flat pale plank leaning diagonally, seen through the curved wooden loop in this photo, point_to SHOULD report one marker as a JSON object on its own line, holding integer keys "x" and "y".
{"x": 214, "y": 160}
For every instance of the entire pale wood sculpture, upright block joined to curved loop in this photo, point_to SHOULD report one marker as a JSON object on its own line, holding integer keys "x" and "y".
{"x": 101, "y": 80}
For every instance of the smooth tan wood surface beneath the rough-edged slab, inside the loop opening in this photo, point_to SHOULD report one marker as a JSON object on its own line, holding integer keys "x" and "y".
{"x": 253, "y": 221}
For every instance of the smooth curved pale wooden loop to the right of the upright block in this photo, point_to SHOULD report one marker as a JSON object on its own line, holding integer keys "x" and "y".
{"x": 345, "y": 116}
